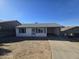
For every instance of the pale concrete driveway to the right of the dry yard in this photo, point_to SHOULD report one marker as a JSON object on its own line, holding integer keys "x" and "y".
{"x": 64, "y": 50}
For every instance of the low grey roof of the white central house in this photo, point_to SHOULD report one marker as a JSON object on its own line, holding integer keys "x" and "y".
{"x": 40, "y": 25}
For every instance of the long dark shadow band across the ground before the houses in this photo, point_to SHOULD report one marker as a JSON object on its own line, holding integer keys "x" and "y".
{"x": 18, "y": 39}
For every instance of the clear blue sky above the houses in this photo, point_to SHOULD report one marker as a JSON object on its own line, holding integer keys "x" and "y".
{"x": 64, "y": 12}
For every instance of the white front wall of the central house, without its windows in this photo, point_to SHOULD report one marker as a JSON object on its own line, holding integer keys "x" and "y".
{"x": 29, "y": 33}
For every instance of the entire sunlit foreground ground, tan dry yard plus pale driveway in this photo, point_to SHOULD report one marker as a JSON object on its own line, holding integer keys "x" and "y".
{"x": 40, "y": 49}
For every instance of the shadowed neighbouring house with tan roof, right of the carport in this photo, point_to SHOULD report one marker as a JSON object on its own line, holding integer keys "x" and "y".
{"x": 72, "y": 31}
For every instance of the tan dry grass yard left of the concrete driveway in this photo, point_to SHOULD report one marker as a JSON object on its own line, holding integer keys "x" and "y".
{"x": 28, "y": 50}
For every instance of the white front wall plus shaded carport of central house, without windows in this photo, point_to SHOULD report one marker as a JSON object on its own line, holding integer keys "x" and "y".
{"x": 51, "y": 30}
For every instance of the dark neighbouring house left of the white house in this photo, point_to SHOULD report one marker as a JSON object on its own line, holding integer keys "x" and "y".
{"x": 8, "y": 28}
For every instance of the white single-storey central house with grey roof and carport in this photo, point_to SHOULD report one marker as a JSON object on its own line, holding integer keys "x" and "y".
{"x": 38, "y": 30}
